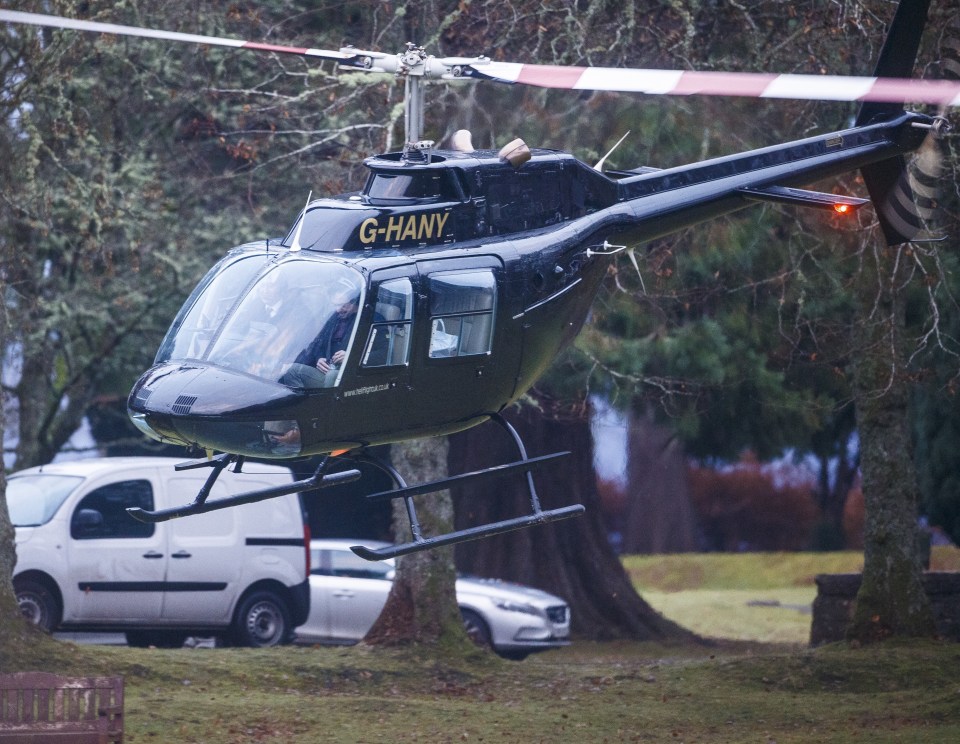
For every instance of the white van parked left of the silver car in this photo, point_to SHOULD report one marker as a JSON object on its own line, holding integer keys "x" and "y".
{"x": 83, "y": 563}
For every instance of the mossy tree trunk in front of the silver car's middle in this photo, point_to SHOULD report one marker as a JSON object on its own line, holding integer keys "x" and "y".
{"x": 422, "y": 604}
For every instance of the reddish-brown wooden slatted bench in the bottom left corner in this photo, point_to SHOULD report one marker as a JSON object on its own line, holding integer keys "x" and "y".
{"x": 42, "y": 708}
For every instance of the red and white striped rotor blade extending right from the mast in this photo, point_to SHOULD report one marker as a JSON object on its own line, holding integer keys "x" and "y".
{"x": 748, "y": 84}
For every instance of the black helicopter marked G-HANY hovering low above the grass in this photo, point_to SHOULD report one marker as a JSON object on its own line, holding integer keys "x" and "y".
{"x": 432, "y": 299}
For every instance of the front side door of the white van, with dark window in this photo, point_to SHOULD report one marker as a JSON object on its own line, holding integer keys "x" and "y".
{"x": 116, "y": 565}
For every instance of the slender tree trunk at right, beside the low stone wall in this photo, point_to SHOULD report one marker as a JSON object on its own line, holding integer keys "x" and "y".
{"x": 891, "y": 600}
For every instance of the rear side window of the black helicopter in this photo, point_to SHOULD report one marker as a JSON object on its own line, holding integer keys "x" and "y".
{"x": 462, "y": 305}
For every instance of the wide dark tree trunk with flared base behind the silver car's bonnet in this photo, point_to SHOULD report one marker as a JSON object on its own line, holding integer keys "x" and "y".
{"x": 571, "y": 558}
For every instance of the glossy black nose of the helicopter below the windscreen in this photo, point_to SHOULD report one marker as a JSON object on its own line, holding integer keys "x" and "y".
{"x": 215, "y": 409}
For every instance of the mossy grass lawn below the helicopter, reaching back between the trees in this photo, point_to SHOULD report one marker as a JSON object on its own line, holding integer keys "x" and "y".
{"x": 755, "y": 682}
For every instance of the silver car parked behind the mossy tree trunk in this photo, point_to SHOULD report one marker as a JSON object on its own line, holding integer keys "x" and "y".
{"x": 347, "y": 594}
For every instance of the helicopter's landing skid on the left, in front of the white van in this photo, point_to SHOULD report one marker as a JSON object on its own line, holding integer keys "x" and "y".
{"x": 200, "y": 505}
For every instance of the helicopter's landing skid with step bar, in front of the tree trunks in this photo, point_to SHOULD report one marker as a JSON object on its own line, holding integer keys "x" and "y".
{"x": 419, "y": 542}
